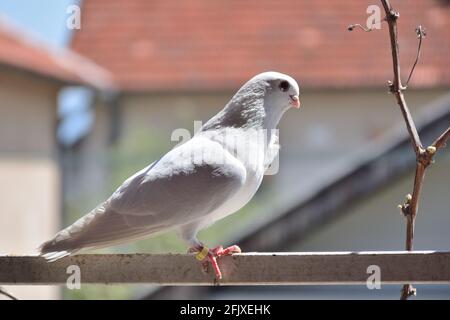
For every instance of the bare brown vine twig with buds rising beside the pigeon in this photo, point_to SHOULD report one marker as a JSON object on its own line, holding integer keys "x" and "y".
{"x": 424, "y": 157}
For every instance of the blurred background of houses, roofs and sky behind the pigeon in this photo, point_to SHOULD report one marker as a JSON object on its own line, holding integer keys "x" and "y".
{"x": 91, "y": 92}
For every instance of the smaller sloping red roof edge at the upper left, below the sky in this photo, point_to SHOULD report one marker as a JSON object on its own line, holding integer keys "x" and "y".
{"x": 21, "y": 51}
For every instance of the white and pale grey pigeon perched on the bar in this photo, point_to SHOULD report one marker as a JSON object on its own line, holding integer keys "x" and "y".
{"x": 197, "y": 183}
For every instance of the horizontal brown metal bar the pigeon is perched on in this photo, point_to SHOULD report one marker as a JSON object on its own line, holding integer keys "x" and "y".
{"x": 427, "y": 267}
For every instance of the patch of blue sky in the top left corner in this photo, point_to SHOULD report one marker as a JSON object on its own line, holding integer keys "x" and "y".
{"x": 44, "y": 18}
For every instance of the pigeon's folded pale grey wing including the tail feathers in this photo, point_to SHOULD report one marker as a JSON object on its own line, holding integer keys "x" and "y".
{"x": 186, "y": 184}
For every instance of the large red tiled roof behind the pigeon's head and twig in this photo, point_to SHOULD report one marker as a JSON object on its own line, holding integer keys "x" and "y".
{"x": 198, "y": 44}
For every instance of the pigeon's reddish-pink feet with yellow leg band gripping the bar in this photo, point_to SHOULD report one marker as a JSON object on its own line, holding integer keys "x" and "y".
{"x": 206, "y": 256}
